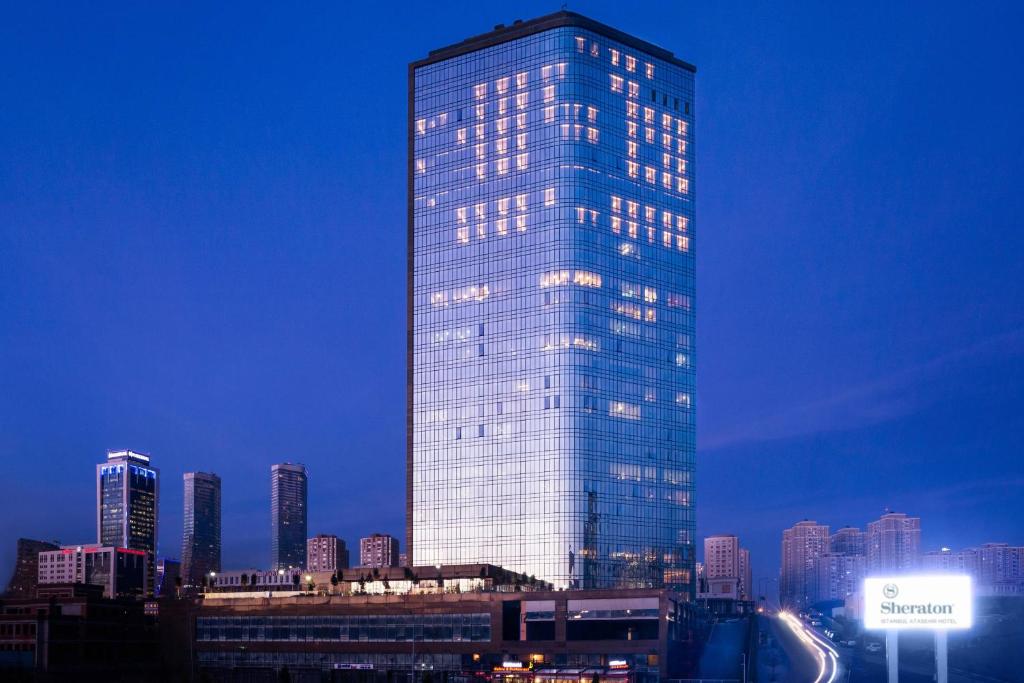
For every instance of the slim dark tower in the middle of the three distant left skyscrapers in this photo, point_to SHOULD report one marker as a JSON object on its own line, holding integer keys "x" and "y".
{"x": 201, "y": 539}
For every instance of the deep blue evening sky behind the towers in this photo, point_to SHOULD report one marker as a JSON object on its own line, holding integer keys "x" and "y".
{"x": 203, "y": 253}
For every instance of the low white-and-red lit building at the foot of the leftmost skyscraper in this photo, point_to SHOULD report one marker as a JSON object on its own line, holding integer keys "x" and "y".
{"x": 122, "y": 572}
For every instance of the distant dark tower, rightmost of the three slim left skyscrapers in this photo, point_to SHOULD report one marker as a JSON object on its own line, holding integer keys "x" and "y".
{"x": 288, "y": 516}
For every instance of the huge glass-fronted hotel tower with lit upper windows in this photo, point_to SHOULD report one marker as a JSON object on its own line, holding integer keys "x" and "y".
{"x": 551, "y": 292}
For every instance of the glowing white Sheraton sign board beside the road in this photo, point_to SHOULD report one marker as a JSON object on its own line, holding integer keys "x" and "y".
{"x": 936, "y": 603}
